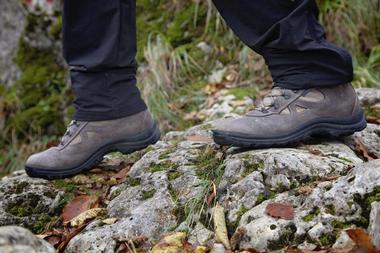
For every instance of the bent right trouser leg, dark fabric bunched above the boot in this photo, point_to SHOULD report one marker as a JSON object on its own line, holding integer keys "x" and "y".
{"x": 287, "y": 34}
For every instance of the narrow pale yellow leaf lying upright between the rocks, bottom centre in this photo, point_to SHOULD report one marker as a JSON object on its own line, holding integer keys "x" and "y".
{"x": 221, "y": 234}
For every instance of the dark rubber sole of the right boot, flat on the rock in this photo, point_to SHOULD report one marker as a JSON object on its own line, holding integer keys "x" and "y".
{"x": 322, "y": 127}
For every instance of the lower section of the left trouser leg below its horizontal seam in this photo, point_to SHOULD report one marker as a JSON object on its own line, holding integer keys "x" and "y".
{"x": 106, "y": 95}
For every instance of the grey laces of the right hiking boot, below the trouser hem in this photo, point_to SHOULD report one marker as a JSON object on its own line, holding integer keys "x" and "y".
{"x": 274, "y": 99}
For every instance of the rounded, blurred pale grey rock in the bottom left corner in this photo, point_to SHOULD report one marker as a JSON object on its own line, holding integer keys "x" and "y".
{"x": 19, "y": 240}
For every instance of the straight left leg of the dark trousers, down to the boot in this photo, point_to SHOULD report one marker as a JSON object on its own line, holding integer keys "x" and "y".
{"x": 99, "y": 41}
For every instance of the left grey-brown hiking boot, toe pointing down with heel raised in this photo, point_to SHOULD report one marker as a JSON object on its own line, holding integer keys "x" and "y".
{"x": 85, "y": 143}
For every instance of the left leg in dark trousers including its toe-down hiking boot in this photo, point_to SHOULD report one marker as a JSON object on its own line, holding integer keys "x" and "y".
{"x": 100, "y": 48}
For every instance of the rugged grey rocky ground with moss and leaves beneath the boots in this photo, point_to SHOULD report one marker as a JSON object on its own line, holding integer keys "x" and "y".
{"x": 329, "y": 186}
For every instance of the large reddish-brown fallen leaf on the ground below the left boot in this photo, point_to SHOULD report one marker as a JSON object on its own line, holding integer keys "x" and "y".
{"x": 77, "y": 206}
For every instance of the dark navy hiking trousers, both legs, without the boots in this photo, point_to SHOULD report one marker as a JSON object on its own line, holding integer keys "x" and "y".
{"x": 100, "y": 48}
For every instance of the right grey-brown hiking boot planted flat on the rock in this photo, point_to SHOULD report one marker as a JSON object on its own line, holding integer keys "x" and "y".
{"x": 286, "y": 117}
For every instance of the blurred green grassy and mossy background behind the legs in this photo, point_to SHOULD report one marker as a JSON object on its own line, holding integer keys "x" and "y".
{"x": 174, "y": 70}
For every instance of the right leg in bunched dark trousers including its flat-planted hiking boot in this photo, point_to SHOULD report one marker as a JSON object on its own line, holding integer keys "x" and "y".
{"x": 311, "y": 94}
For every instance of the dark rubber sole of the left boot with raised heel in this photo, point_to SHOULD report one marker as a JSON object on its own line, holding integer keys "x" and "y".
{"x": 130, "y": 145}
